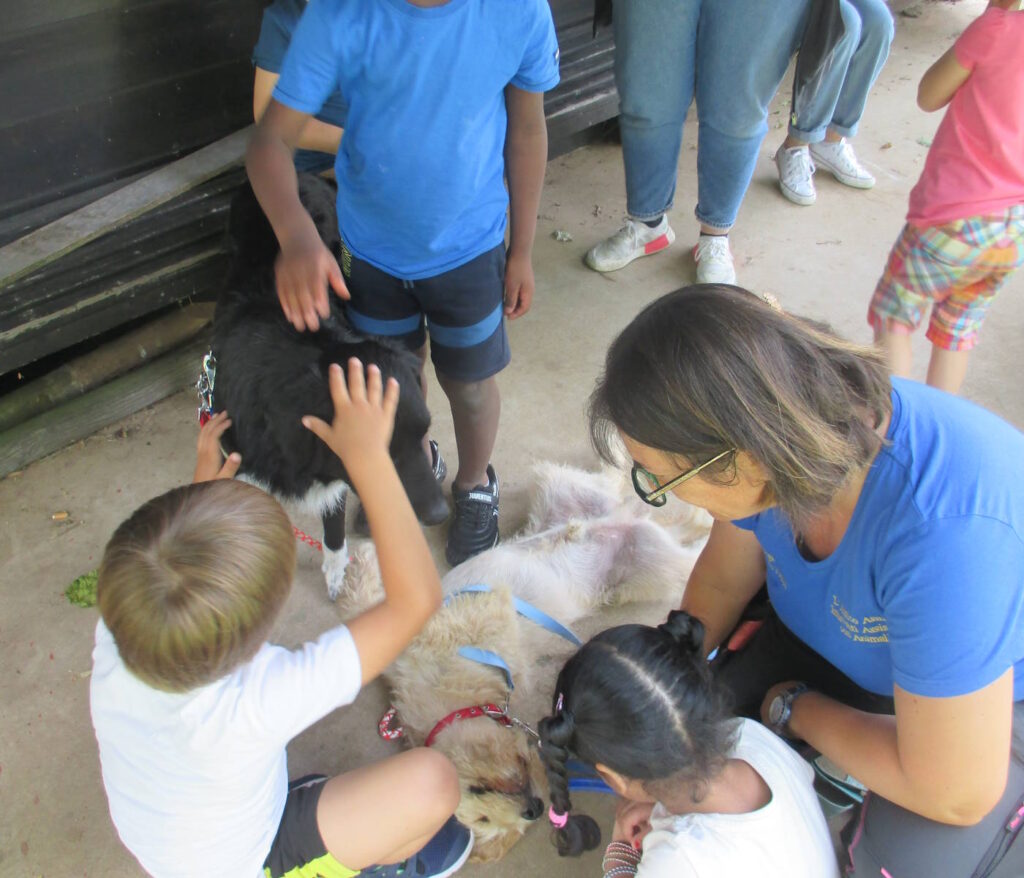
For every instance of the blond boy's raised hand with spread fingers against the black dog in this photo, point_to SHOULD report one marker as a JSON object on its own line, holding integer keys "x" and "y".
{"x": 364, "y": 415}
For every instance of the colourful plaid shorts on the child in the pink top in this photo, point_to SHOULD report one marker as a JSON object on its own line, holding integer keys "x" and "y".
{"x": 959, "y": 268}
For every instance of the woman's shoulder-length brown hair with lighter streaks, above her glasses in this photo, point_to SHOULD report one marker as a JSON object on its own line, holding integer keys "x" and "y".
{"x": 713, "y": 367}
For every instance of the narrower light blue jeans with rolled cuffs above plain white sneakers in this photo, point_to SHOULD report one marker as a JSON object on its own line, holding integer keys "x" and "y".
{"x": 839, "y": 101}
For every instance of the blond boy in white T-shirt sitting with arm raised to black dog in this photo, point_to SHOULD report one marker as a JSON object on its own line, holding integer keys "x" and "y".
{"x": 193, "y": 708}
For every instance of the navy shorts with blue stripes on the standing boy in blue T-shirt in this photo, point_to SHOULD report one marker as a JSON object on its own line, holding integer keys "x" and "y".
{"x": 462, "y": 311}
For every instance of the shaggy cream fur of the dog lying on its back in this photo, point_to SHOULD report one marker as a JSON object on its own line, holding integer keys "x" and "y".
{"x": 587, "y": 546}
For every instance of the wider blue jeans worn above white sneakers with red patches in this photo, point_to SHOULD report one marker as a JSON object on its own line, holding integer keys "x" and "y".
{"x": 732, "y": 55}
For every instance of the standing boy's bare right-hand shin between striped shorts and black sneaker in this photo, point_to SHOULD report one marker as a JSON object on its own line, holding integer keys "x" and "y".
{"x": 477, "y": 407}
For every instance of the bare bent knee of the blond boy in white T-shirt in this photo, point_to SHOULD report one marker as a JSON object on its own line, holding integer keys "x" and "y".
{"x": 388, "y": 812}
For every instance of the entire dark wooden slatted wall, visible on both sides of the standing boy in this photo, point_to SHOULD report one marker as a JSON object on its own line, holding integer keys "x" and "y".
{"x": 94, "y": 93}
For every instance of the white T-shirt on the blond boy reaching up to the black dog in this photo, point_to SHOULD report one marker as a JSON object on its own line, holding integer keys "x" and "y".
{"x": 197, "y": 781}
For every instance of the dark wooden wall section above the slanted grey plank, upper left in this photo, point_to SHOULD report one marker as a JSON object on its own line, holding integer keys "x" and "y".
{"x": 94, "y": 92}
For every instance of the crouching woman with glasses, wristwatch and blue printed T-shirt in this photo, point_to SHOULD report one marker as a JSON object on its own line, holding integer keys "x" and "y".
{"x": 887, "y": 521}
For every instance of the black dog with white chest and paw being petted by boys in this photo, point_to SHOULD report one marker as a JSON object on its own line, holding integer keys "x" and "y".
{"x": 269, "y": 375}
